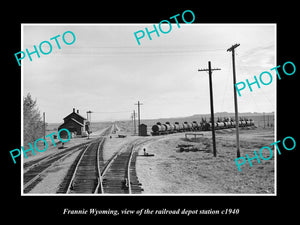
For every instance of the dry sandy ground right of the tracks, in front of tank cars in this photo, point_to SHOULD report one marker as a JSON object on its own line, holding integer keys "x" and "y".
{"x": 174, "y": 172}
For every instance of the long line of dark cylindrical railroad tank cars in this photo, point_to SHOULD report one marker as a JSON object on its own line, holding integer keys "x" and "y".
{"x": 169, "y": 128}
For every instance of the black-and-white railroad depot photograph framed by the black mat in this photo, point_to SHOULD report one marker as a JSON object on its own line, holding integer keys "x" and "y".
{"x": 150, "y": 109}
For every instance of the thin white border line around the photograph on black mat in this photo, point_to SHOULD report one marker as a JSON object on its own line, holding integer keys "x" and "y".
{"x": 166, "y": 194}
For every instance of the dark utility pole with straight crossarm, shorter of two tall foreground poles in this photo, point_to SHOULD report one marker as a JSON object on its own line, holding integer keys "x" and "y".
{"x": 211, "y": 105}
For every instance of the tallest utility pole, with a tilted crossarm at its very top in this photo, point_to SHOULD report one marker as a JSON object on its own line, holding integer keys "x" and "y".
{"x": 231, "y": 49}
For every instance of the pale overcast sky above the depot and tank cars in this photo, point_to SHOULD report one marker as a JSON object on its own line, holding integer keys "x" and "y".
{"x": 107, "y": 72}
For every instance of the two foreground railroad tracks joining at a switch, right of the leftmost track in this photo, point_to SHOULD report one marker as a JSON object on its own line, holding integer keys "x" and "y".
{"x": 91, "y": 175}
